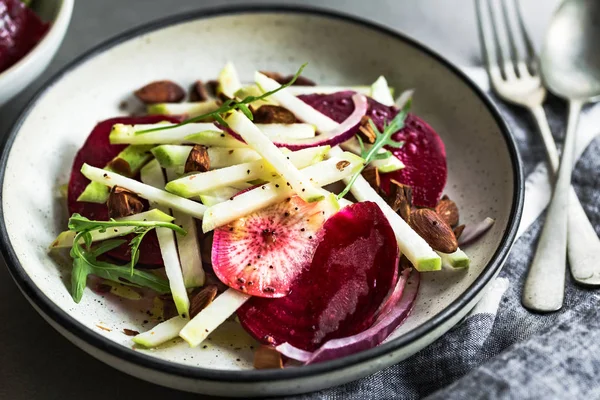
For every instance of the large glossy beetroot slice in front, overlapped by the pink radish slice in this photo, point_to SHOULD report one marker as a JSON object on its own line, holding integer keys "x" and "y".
{"x": 353, "y": 271}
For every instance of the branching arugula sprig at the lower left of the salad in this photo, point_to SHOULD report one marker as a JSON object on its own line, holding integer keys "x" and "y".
{"x": 85, "y": 256}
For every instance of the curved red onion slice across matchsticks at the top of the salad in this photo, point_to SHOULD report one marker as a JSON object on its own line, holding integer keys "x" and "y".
{"x": 341, "y": 133}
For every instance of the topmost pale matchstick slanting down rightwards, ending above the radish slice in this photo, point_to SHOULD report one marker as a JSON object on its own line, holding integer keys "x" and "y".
{"x": 240, "y": 123}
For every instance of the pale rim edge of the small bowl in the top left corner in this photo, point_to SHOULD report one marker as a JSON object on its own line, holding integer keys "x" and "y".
{"x": 57, "y": 27}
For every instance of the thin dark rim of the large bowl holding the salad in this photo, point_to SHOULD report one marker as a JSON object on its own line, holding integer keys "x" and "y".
{"x": 97, "y": 341}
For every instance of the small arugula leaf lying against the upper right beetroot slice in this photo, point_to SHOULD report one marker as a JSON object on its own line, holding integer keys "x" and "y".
{"x": 381, "y": 139}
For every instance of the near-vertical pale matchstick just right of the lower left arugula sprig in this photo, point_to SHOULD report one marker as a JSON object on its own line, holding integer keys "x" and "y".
{"x": 152, "y": 175}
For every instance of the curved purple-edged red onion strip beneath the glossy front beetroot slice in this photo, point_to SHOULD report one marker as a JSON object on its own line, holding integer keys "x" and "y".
{"x": 405, "y": 291}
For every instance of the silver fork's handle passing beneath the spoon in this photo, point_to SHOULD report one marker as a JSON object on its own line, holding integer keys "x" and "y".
{"x": 583, "y": 243}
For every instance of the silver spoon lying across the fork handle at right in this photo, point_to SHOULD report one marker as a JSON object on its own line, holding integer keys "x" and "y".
{"x": 570, "y": 66}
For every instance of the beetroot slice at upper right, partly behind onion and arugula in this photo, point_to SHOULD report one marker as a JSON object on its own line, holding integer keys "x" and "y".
{"x": 423, "y": 153}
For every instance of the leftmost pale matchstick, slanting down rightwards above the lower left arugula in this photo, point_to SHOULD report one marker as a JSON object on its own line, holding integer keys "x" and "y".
{"x": 149, "y": 193}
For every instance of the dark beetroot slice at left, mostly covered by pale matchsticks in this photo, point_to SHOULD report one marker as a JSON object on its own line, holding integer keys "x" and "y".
{"x": 97, "y": 151}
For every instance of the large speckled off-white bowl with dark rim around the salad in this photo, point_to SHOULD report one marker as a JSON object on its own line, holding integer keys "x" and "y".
{"x": 484, "y": 177}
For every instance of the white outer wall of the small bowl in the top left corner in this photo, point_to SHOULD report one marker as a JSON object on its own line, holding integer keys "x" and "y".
{"x": 16, "y": 78}
